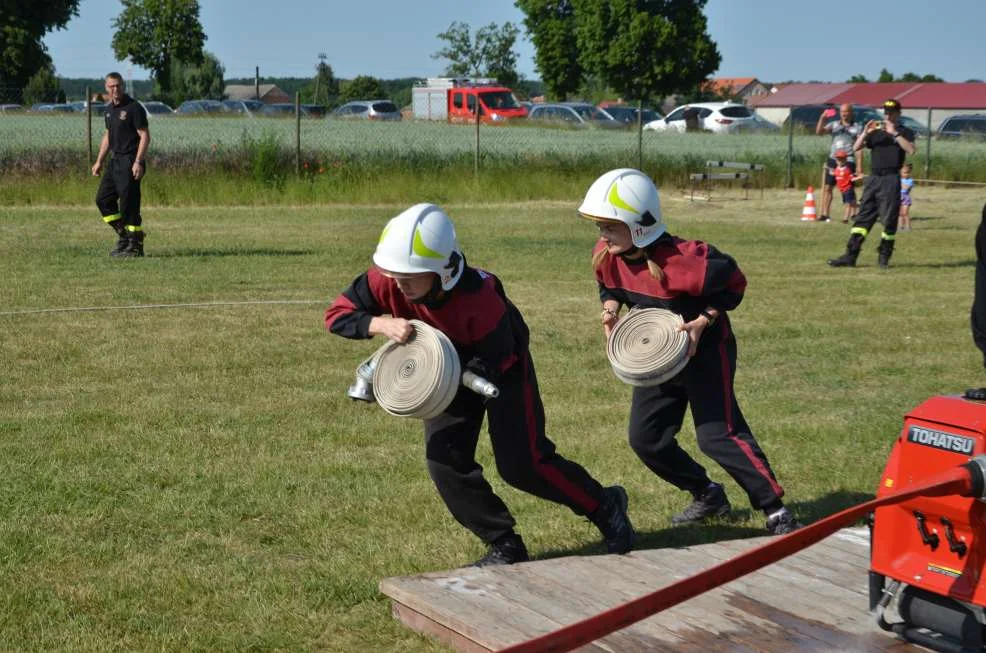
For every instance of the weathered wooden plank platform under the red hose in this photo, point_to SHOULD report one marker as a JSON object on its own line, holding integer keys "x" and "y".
{"x": 815, "y": 600}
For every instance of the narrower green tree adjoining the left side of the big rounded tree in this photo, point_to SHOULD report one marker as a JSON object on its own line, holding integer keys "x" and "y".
{"x": 551, "y": 28}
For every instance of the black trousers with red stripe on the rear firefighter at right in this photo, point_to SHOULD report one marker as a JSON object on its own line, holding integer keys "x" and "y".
{"x": 706, "y": 384}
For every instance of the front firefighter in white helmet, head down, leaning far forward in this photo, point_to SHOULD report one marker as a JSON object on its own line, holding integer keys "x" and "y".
{"x": 420, "y": 273}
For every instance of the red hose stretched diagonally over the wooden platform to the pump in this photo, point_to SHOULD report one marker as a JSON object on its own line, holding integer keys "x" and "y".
{"x": 954, "y": 481}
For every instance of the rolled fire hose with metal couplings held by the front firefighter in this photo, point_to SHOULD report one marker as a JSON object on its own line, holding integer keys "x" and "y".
{"x": 417, "y": 378}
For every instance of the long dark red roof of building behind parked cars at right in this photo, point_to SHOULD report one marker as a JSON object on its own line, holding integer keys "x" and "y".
{"x": 916, "y": 95}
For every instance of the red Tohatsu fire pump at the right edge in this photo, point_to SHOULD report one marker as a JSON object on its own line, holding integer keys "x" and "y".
{"x": 927, "y": 553}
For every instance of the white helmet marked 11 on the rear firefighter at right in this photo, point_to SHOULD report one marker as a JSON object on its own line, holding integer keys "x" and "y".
{"x": 628, "y": 196}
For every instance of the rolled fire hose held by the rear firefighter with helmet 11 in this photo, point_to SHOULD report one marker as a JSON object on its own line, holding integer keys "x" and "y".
{"x": 646, "y": 348}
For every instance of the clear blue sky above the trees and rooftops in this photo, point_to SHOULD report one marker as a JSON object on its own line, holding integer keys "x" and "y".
{"x": 772, "y": 40}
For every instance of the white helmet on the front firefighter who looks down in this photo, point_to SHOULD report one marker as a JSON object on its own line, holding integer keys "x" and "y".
{"x": 421, "y": 239}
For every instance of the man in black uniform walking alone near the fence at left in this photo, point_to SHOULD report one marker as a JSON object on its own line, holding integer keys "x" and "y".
{"x": 118, "y": 198}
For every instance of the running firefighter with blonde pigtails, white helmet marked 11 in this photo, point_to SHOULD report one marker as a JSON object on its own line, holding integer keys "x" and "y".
{"x": 638, "y": 263}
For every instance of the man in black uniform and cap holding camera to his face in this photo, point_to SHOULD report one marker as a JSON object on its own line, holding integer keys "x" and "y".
{"x": 890, "y": 143}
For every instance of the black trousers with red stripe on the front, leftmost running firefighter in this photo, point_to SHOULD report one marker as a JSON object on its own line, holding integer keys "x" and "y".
{"x": 525, "y": 457}
